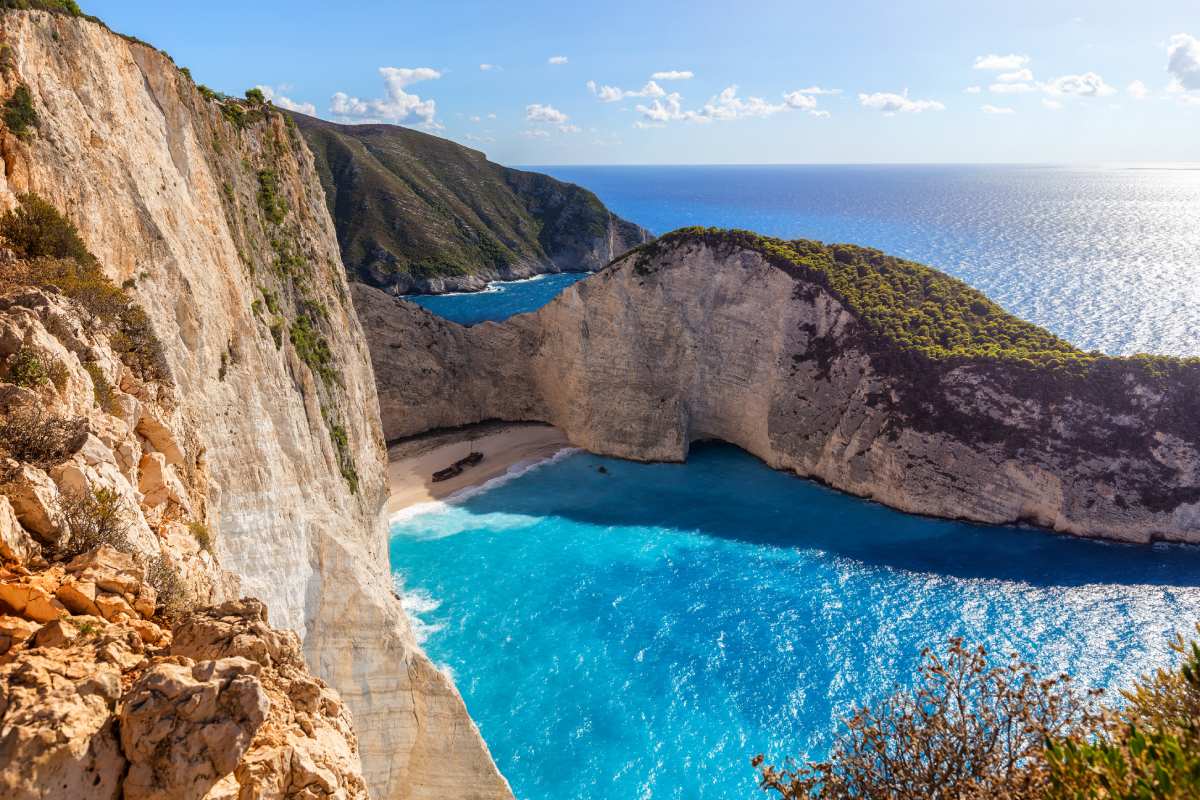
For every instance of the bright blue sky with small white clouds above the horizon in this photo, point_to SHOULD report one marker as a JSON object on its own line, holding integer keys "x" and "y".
{"x": 1022, "y": 81}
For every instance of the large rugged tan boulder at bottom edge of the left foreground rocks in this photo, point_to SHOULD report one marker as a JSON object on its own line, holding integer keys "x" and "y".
{"x": 184, "y": 729}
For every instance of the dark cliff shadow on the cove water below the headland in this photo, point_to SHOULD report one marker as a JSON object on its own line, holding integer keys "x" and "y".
{"x": 727, "y": 494}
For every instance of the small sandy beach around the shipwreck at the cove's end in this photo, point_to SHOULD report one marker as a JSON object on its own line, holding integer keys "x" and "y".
{"x": 412, "y": 462}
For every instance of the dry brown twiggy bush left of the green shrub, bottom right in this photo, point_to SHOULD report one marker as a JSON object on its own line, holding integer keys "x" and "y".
{"x": 967, "y": 731}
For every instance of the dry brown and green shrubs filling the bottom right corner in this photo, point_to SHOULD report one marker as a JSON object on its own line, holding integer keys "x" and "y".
{"x": 973, "y": 730}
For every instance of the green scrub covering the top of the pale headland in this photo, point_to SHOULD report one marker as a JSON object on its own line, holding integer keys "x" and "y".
{"x": 909, "y": 308}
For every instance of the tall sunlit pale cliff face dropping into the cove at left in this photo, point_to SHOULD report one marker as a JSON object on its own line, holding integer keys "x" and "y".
{"x": 214, "y": 216}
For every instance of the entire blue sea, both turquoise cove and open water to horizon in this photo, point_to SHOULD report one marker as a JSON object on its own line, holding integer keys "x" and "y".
{"x": 644, "y": 633}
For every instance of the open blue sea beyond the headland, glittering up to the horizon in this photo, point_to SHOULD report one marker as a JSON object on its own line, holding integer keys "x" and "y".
{"x": 1107, "y": 257}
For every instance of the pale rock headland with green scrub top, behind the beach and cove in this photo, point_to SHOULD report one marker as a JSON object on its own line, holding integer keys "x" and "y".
{"x": 825, "y": 363}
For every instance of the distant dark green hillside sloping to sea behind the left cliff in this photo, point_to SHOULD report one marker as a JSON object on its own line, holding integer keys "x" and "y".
{"x": 419, "y": 214}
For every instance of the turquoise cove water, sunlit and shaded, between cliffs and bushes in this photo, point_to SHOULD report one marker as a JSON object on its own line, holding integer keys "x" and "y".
{"x": 644, "y": 633}
